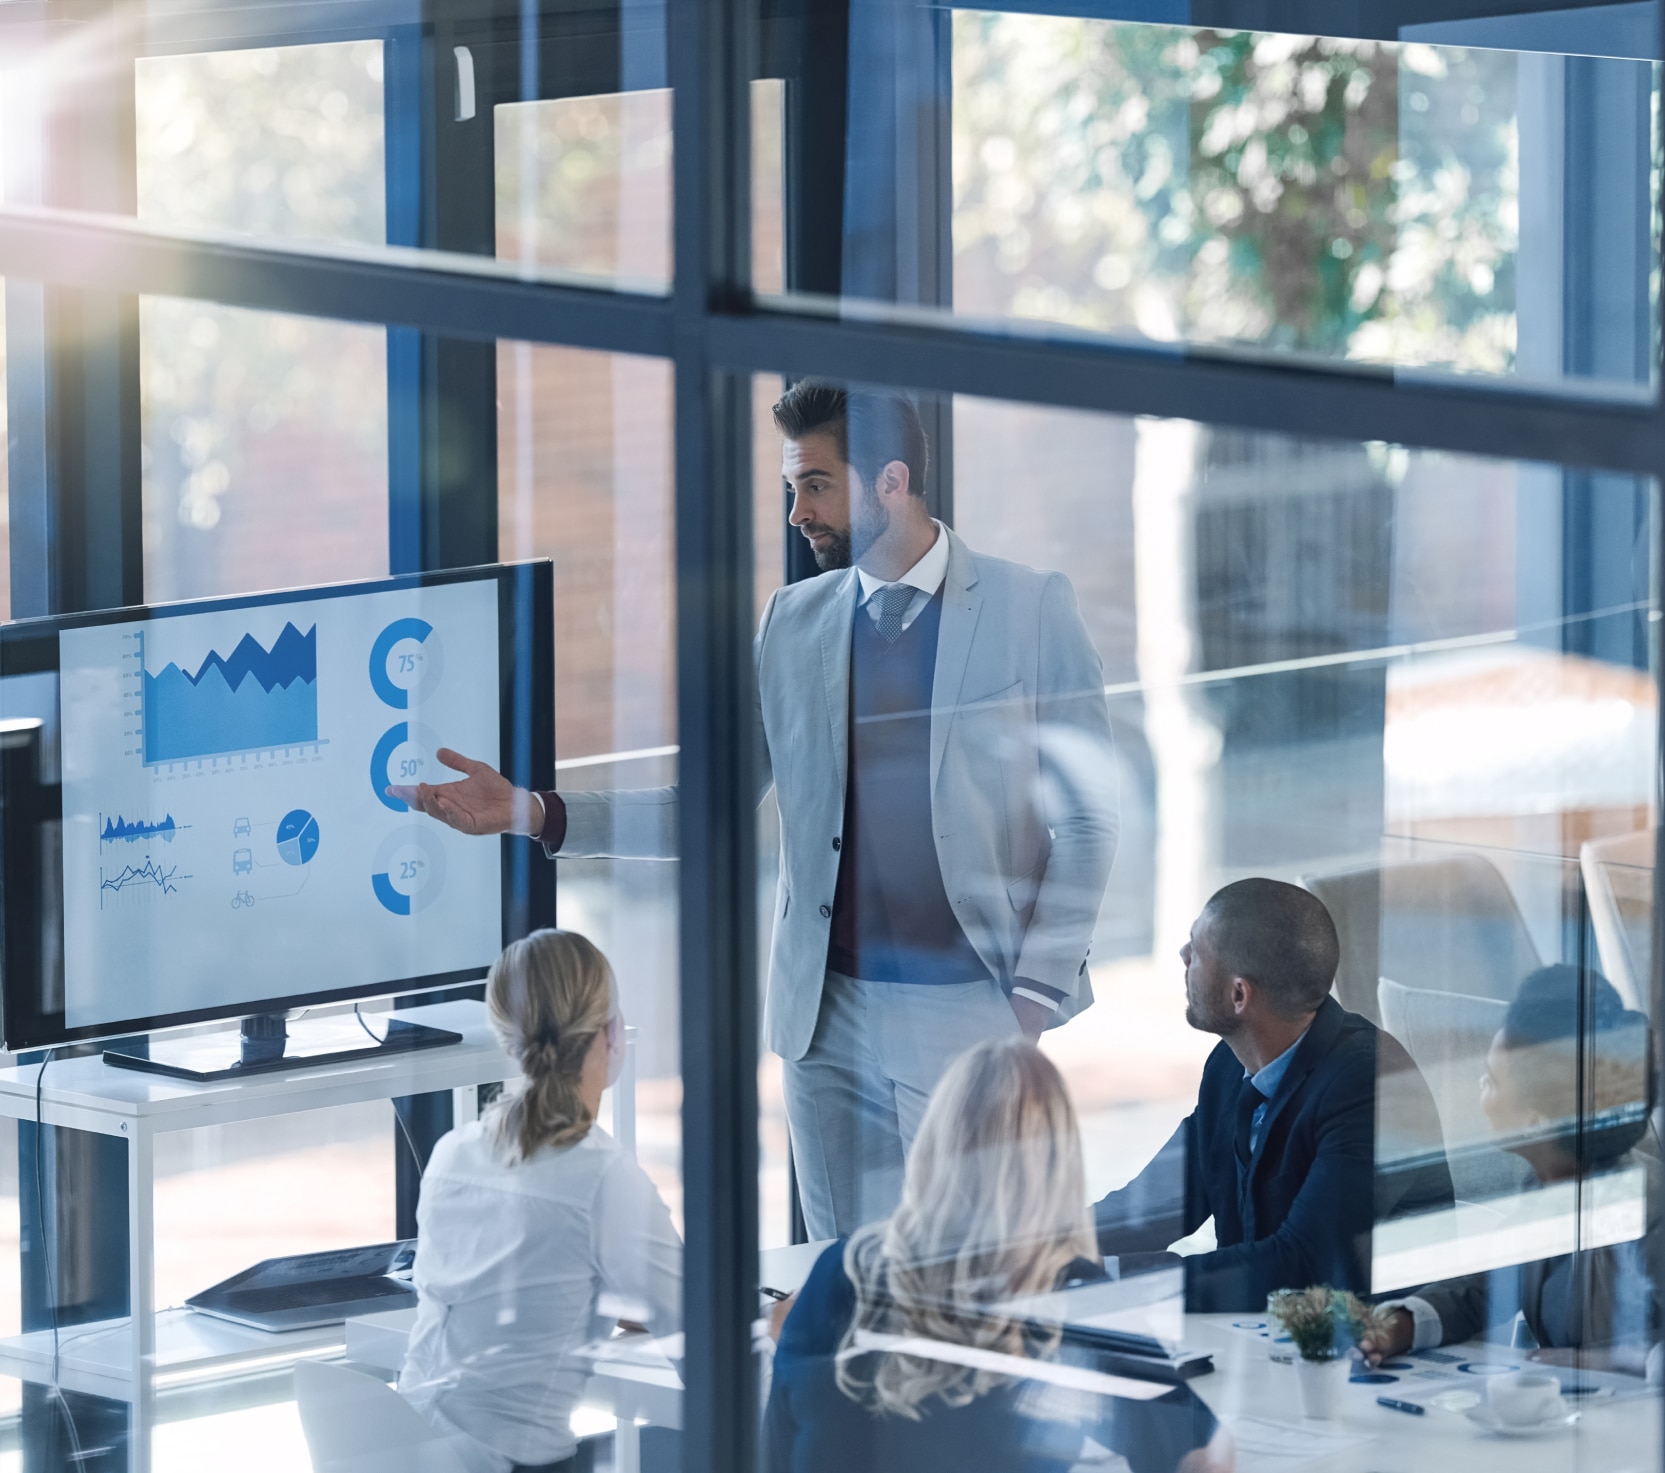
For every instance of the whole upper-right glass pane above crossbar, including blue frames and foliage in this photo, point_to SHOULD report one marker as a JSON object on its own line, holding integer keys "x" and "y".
{"x": 1466, "y": 196}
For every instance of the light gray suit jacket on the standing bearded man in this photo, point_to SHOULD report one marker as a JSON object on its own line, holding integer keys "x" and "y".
{"x": 1023, "y": 781}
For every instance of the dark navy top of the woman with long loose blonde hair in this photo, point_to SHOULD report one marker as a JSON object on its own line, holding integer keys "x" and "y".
{"x": 1016, "y": 1427}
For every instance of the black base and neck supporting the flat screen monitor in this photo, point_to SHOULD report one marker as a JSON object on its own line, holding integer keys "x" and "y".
{"x": 269, "y": 1043}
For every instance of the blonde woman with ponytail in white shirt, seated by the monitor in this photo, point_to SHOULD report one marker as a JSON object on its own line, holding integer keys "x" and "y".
{"x": 535, "y": 1231}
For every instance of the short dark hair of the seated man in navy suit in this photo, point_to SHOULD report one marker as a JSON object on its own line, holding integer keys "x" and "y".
{"x": 1280, "y": 938}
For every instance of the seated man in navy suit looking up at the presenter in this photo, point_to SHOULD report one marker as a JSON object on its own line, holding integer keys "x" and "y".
{"x": 1281, "y": 1149}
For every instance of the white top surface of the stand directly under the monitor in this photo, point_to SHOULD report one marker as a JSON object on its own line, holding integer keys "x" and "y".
{"x": 89, "y": 1094}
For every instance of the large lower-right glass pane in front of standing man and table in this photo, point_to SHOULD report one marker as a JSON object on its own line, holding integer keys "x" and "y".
{"x": 1376, "y": 733}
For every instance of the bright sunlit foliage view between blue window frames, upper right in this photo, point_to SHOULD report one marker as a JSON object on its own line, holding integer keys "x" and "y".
{"x": 1349, "y": 199}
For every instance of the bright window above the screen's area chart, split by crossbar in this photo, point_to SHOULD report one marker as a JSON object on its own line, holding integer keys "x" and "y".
{"x": 266, "y": 437}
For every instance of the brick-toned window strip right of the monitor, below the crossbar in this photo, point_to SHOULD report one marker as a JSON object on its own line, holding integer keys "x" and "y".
{"x": 585, "y": 479}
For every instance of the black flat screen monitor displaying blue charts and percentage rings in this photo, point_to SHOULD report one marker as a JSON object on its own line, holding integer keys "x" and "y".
{"x": 194, "y": 811}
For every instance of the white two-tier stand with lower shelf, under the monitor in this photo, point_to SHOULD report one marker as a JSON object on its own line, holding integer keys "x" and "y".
{"x": 107, "y": 1359}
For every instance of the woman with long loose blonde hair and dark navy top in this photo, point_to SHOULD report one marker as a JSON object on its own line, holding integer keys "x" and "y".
{"x": 903, "y": 1352}
